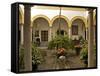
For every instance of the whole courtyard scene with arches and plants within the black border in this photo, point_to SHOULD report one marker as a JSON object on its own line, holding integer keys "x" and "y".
{"x": 53, "y": 38}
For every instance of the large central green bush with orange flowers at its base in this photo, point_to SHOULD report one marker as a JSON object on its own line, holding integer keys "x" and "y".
{"x": 62, "y": 44}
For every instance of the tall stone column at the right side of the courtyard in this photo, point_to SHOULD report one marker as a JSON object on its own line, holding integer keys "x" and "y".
{"x": 90, "y": 40}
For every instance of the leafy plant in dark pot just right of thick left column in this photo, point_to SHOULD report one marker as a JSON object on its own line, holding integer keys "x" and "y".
{"x": 36, "y": 57}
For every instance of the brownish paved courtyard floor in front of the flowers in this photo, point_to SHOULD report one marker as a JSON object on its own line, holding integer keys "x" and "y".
{"x": 51, "y": 62}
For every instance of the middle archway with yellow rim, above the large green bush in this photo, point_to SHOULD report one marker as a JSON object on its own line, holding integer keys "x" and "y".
{"x": 63, "y": 25}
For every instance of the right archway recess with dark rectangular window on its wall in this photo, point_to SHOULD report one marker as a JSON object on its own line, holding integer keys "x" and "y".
{"x": 78, "y": 28}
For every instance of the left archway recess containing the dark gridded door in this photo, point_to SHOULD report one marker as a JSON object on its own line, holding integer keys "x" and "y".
{"x": 40, "y": 31}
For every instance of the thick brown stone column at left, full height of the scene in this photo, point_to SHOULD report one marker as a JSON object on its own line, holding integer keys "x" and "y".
{"x": 27, "y": 38}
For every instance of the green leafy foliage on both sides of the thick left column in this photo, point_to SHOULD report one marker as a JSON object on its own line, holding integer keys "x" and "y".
{"x": 36, "y": 56}
